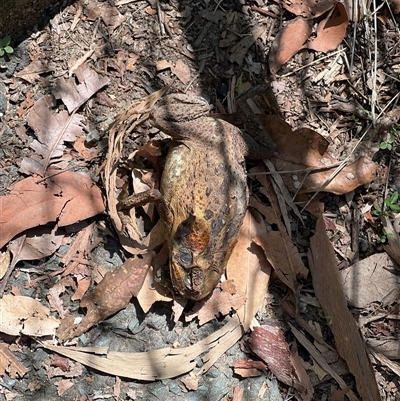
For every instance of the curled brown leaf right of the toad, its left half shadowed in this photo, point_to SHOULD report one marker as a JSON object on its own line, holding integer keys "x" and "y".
{"x": 305, "y": 149}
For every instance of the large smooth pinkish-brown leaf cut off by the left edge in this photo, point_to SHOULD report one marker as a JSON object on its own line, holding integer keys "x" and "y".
{"x": 67, "y": 197}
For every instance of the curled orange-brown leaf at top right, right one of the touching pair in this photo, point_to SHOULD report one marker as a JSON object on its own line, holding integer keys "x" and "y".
{"x": 331, "y": 30}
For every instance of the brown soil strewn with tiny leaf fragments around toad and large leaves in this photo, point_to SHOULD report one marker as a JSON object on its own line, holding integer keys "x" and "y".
{"x": 198, "y": 49}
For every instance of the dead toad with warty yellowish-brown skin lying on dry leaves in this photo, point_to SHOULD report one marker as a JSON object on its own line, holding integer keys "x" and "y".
{"x": 204, "y": 194}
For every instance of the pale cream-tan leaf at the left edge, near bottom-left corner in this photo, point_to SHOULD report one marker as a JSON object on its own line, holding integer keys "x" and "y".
{"x": 24, "y": 315}
